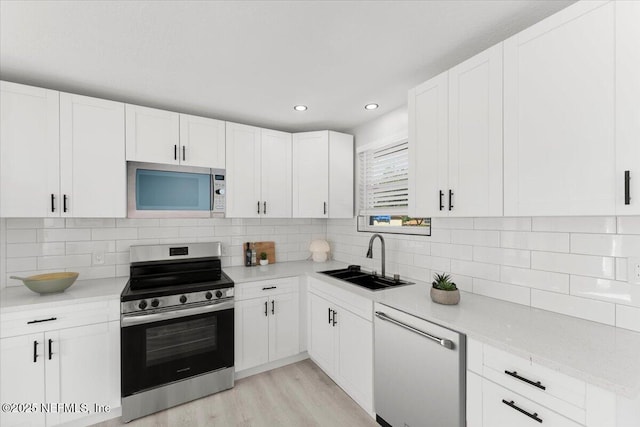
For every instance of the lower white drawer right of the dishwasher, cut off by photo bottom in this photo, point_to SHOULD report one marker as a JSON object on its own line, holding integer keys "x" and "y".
{"x": 517, "y": 411}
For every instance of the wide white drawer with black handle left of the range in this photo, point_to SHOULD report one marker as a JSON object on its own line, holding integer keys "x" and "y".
{"x": 67, "y": 316}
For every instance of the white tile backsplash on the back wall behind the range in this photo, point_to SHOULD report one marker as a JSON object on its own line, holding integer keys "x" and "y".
{"x": 39, "y": 245}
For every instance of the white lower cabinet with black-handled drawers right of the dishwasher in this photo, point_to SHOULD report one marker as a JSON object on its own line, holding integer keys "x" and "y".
{"x": 508, "y": 390}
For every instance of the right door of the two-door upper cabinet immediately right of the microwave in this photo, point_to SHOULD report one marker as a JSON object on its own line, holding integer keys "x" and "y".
{"x": 275, "y": 179}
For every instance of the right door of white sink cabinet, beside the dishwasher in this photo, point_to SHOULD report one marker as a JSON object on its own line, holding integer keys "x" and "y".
{"x": 354, "y": 362}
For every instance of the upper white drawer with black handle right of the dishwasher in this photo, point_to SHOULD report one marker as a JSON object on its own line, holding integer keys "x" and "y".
{"x": 543, "y": 385}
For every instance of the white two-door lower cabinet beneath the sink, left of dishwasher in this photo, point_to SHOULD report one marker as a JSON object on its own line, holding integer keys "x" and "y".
{"x": 341, "y": 339}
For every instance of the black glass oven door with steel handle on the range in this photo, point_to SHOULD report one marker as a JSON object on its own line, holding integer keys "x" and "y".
{"x": 167, "y": 346}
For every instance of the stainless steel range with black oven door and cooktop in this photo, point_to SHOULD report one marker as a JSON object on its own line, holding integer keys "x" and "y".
{"x": 176, "y": 327}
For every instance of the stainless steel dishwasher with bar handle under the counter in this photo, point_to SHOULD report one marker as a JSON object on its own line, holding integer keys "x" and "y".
{"x": 419, "y": 372}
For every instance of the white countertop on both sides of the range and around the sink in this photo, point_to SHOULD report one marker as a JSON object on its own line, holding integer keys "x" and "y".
{"x": 599, "y": 354}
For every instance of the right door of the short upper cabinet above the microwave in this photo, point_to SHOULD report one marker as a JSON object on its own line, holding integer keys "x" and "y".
{"x": 202, "y": 142}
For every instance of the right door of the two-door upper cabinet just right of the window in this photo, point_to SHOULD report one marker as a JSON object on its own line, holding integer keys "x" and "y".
{"x": 475, "y": 135}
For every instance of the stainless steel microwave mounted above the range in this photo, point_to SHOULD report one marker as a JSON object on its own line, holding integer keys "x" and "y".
{"x": 173, "y": 191}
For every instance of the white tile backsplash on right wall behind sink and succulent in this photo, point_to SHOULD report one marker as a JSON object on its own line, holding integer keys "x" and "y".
{"x": 571, "y": 265}
